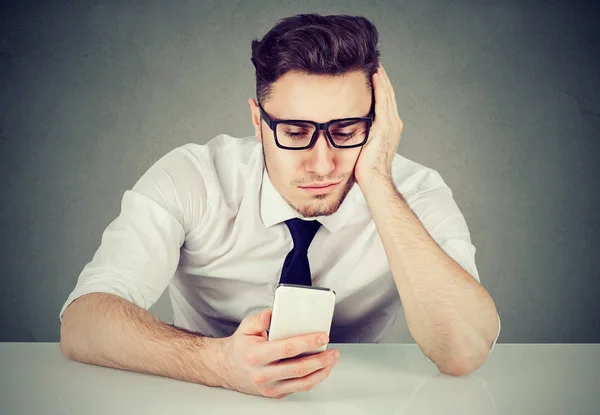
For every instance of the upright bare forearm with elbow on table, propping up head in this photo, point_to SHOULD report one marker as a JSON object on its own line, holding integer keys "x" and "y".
{"x": 449, "y": 314}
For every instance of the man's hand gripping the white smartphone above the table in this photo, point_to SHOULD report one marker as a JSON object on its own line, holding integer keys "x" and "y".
{"x": 251, "y": 364}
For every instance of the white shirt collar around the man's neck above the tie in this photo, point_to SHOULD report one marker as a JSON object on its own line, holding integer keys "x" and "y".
{"x": 274, "y": 209}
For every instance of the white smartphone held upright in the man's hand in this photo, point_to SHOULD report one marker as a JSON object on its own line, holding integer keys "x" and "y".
{"x": 301, "y": 309}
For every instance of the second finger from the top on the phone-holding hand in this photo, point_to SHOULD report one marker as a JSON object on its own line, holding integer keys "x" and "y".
{"x": 296, "y": 368}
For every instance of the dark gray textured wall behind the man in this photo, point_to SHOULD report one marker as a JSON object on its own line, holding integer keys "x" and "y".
{"x": 501, "y": 97}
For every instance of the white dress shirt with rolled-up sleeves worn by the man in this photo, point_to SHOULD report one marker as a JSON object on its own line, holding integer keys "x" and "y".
{"x": 206, "y": 222}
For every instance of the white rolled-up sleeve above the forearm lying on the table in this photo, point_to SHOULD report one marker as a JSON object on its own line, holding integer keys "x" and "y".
{"x": 139, "y": 250}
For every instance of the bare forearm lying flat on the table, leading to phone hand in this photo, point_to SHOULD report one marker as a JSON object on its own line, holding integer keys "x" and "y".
{"x": 107, "y": 330}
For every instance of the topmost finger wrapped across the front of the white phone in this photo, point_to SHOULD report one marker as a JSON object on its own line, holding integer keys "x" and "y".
{"x": 286, "y": 348}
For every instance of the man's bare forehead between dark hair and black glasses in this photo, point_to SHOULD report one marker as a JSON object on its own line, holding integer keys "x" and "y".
{"x": 297, "y": 95}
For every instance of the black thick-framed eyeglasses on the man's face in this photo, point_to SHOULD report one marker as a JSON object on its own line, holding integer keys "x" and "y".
{"x": 302, "y": 134}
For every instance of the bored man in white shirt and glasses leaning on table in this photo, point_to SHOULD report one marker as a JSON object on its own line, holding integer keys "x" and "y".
{"x": 214, "y": 223}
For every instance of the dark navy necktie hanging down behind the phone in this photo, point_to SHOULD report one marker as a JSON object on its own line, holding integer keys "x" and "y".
{"x": 296, "y": 269}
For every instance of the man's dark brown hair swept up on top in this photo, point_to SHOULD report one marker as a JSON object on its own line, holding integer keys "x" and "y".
{"x": 316, "y": 45}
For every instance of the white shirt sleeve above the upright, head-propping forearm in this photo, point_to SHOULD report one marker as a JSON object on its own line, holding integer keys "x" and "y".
{"x": 438, "y": 211}
